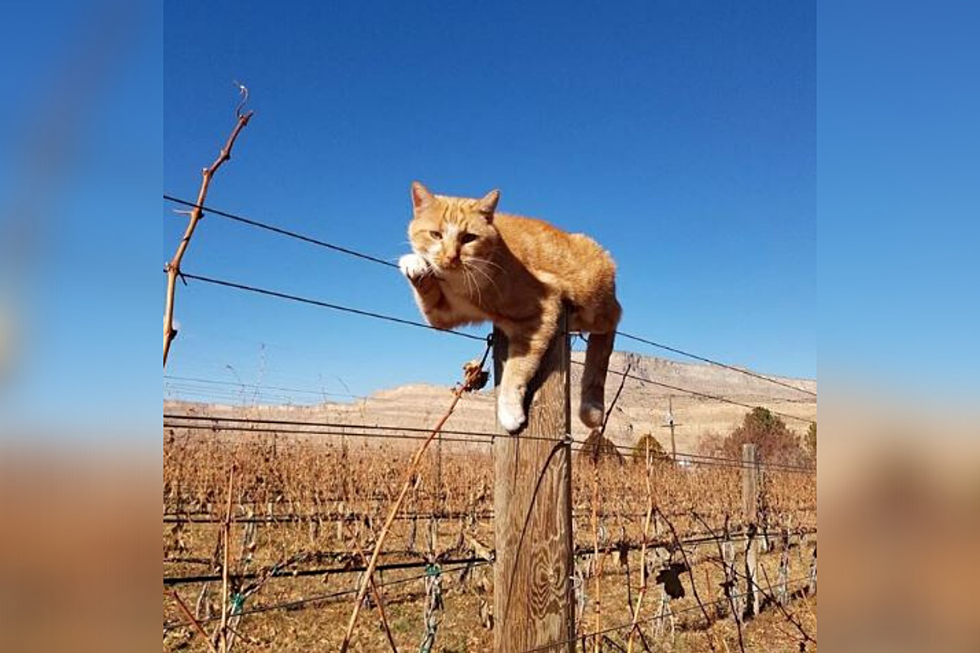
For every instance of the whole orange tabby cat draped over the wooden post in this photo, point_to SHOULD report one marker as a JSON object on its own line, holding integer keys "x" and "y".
{"x": 471, "y": 264}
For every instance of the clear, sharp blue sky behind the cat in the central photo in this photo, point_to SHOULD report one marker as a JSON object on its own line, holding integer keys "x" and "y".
{"x": 681, "y": 136}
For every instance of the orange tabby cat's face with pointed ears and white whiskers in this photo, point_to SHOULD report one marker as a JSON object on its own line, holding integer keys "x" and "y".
{"x": 450, "y": 232}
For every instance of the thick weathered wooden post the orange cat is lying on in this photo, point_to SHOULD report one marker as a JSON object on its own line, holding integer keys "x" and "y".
{"x": 534, "y": 603}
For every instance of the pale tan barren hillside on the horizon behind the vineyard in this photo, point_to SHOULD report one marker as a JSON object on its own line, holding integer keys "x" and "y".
{"x": 642, "y": 405}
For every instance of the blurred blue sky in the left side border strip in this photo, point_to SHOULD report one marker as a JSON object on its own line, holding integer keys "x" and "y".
{"x": 80, "y": 282}
